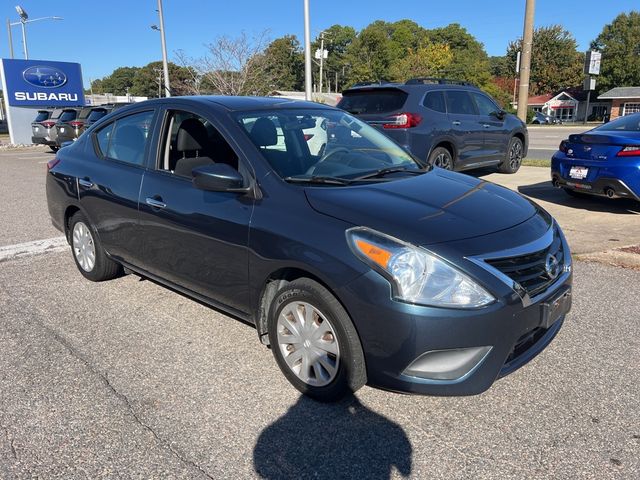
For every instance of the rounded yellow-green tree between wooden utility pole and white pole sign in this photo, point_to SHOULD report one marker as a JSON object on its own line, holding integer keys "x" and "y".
{"x": 555, "y": 60}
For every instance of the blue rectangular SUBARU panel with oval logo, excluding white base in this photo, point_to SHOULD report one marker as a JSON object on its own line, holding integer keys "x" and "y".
{"x": 37, "y": 83}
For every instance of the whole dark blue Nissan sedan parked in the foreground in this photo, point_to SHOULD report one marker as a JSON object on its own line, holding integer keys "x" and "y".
{"x": 357, "y": 263}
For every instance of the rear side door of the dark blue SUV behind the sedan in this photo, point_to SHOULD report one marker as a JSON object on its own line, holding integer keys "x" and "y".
{"x": 465, "y": 127}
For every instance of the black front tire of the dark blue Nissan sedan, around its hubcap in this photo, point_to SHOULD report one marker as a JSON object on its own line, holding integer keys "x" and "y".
{"x": 350, "y": 372}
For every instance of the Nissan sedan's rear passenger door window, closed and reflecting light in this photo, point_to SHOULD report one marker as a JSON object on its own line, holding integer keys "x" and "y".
{"x": 126, "y": 139}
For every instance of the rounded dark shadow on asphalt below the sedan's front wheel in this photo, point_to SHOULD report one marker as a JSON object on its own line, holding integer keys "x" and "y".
{"x": 340, "y": 440}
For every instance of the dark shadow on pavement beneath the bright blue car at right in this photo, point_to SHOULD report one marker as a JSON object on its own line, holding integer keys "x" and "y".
{"x": 547, "y": 192}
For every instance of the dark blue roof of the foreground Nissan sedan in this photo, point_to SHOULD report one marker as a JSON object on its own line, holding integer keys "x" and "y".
{"x": 238, "y": 103}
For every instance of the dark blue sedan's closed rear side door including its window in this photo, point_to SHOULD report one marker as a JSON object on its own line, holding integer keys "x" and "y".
{"x": 110, "y": 185}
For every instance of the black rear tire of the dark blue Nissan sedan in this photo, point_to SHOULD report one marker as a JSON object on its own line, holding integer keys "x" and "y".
{"x": 103, "y": 268}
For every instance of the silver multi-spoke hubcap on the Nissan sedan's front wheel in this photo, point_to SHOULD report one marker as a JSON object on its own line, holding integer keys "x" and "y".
{"x": 308, "y": 344}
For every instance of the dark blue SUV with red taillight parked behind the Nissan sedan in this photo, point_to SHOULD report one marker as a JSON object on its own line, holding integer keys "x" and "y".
{"x": 449, "y": 124}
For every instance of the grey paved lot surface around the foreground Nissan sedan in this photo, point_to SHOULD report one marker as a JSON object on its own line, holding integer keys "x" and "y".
{"x": 129, "y": 379}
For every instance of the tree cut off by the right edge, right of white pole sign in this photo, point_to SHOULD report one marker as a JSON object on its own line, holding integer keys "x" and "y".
{"x": 619, "y": 43}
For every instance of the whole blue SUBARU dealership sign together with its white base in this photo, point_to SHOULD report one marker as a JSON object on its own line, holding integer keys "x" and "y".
{"x": 31, "y": 84}
